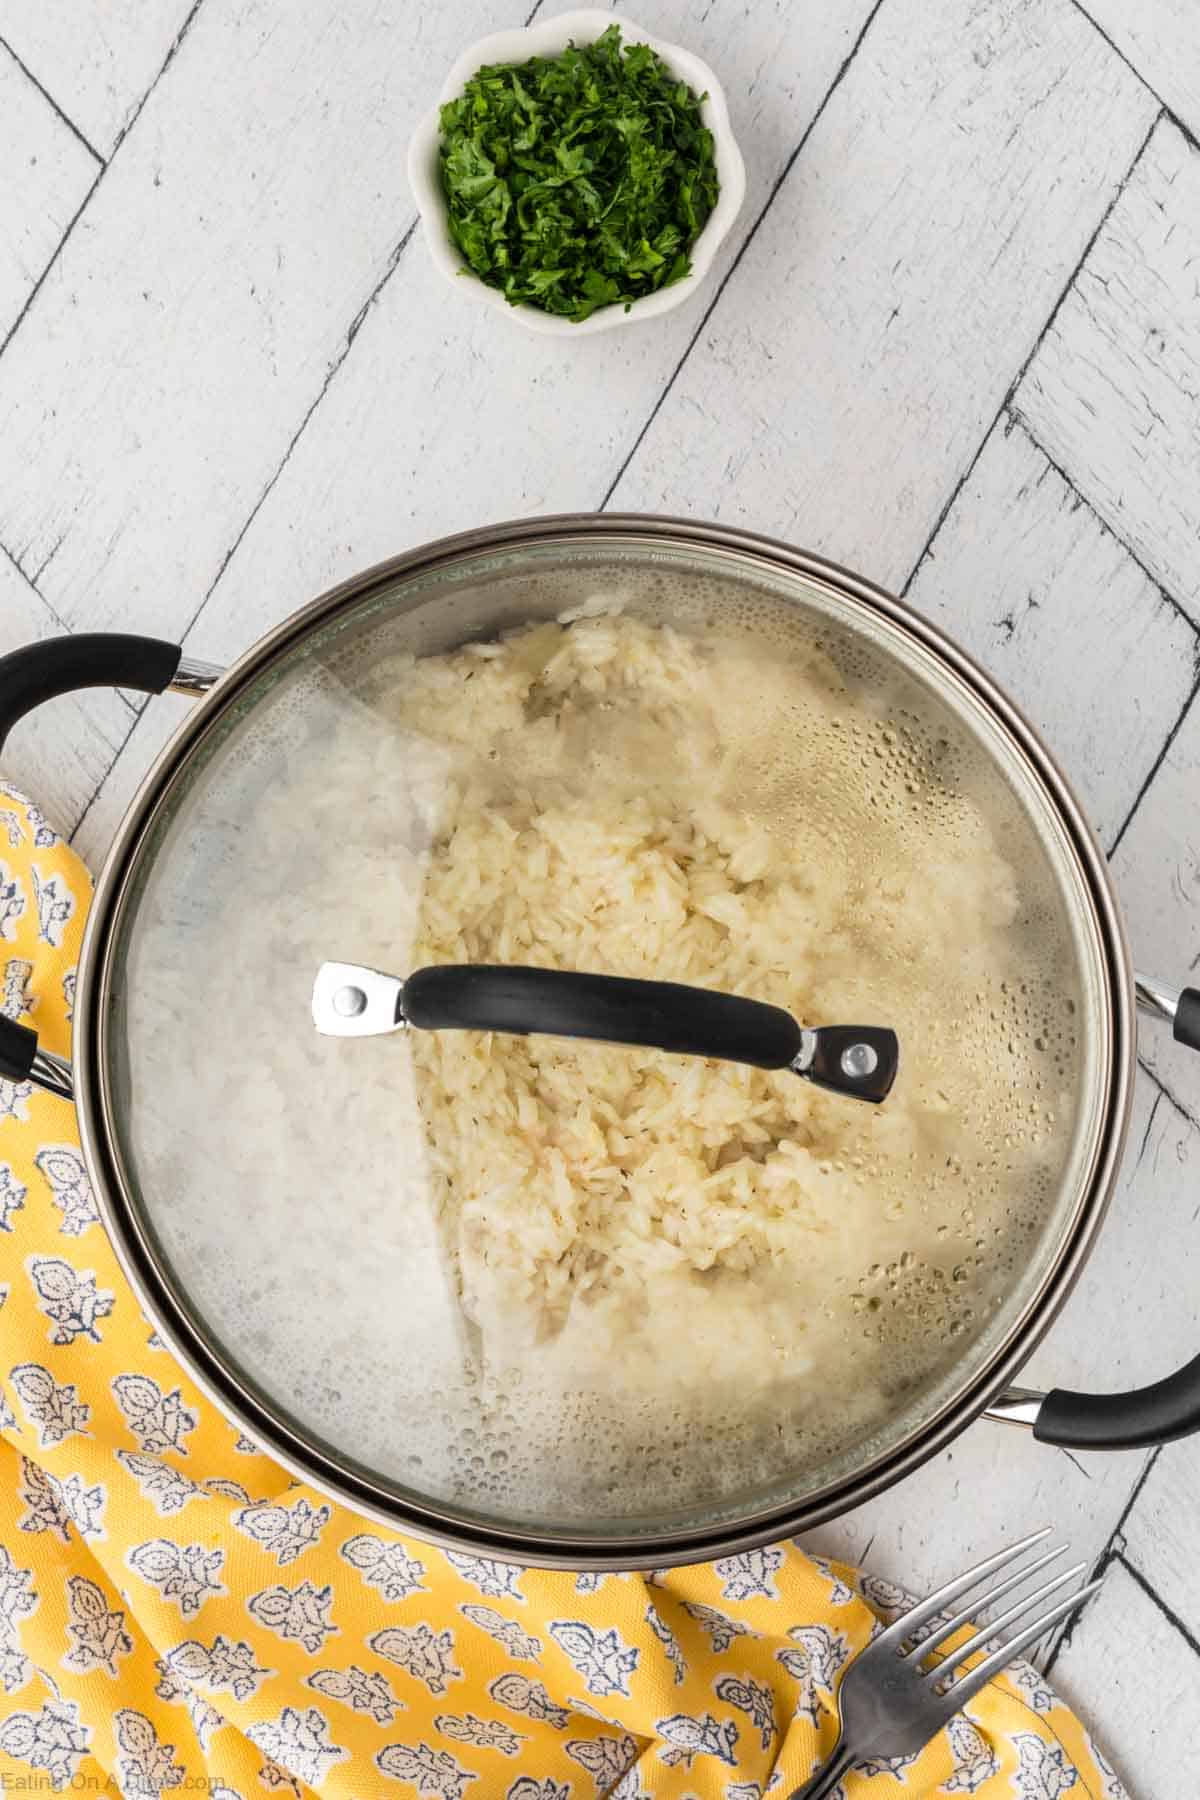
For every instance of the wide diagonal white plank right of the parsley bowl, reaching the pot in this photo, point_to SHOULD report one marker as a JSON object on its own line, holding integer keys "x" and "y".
{"x": 899, "y": 282}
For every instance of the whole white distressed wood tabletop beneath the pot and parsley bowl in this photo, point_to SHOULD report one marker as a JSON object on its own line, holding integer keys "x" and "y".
{"x": 954, "y": 341}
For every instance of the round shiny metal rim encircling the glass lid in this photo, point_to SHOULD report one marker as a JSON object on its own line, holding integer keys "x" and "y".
{"x": 337, "y": 1479}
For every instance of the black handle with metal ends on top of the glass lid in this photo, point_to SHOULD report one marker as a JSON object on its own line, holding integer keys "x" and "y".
{"x": 352, "y": 1002}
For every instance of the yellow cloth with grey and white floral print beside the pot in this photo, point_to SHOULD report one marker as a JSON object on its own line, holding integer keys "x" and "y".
{"x": 179, "y": 1615}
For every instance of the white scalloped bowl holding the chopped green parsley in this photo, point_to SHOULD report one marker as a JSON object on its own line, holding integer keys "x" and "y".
{"x": 550, "y": 39}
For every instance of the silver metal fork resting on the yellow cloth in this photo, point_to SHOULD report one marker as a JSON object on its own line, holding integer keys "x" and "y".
{"x": 891, "y": 1705}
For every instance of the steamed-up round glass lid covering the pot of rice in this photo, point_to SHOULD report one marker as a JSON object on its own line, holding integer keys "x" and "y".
{"x": 632, "y": 1284}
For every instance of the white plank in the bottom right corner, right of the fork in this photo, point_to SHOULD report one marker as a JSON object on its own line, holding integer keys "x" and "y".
{"x": 1133, "y": 1678}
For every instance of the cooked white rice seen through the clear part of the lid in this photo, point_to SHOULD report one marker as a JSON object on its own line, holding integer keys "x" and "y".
{"x": 627, "y": 800}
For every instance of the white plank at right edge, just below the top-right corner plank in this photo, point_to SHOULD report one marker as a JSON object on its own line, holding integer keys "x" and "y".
{"x": 1115, "y": 391}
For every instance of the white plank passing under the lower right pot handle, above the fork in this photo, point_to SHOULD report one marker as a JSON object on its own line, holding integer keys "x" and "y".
{"x": 996, "y": 1482}
